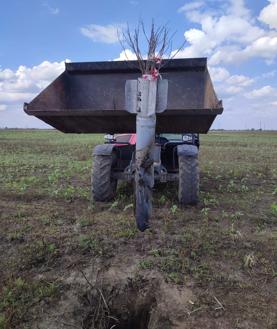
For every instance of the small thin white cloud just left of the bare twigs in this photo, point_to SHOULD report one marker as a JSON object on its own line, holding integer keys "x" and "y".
{"x": 103, "y": 33}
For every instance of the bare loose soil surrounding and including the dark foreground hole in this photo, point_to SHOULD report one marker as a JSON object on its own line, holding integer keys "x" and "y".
{"x": 119, "y": 299}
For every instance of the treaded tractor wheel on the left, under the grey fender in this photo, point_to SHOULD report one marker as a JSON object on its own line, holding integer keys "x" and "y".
{"x": 103, "y": 186}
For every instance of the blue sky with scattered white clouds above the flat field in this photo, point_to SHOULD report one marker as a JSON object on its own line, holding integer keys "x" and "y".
{"x": 239, "y": 38}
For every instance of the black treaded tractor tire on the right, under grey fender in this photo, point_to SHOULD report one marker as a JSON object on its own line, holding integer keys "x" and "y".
{"x": 188, "y": 180}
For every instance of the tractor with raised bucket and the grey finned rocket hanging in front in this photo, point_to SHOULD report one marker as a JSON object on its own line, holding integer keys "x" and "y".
{"x": 167, "y": 106}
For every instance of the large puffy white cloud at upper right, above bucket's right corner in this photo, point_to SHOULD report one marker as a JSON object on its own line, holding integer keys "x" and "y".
{"x": 228, "y": 35}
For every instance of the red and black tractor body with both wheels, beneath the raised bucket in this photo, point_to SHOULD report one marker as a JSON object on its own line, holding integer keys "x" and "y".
{"x": 175, "y": 159}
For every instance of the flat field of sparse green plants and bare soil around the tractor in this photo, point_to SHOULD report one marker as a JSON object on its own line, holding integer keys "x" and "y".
{"x": 67, "y": 262}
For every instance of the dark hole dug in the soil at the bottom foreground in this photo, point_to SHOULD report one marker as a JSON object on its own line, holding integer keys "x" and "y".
{"x": 124, "y": 307}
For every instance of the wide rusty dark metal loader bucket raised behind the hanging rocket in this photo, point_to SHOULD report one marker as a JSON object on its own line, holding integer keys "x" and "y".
{"x": 90, "y": 98}
